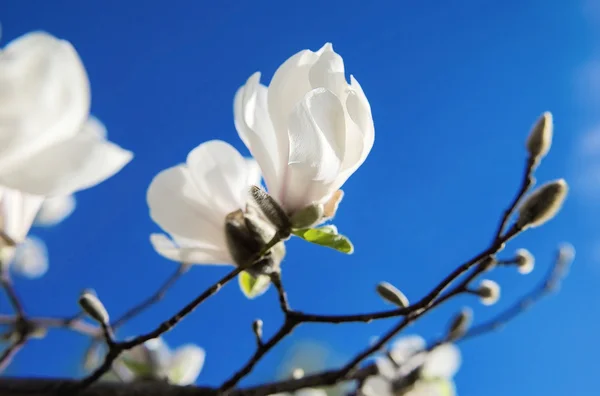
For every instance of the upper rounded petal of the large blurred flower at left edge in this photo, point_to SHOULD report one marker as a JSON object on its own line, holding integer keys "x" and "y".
{"x": 44, "y": 96}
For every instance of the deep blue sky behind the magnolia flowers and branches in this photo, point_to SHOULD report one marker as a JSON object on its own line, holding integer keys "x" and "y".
{"x": 454, "y": 90}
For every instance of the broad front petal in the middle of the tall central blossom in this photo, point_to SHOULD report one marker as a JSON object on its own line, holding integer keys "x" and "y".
{"x": 317, "y": 141}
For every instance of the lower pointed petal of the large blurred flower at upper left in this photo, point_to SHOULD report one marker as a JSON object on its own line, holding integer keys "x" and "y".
{"x": 69, "y": 165}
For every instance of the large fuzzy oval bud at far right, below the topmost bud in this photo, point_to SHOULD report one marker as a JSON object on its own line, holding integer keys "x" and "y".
{"x": 543, "y": 204}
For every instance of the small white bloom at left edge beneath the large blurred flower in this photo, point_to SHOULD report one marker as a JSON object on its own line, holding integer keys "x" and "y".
{"x": 17, "y": 211}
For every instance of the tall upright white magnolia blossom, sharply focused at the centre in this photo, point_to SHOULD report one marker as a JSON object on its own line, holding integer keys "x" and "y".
{"x": 309, "y": 130}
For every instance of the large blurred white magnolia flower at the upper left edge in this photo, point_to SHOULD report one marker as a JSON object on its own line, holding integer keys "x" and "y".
{"x": 48, "y": 143}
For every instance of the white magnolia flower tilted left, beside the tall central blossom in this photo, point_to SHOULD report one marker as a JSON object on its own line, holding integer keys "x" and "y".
{"x": 191, "y": 202}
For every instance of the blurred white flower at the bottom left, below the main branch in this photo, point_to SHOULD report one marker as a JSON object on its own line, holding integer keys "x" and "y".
{"x": 154, "y": 359}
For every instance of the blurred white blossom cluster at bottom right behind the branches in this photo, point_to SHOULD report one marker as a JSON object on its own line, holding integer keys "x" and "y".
{"x": 396, "y": 371}
